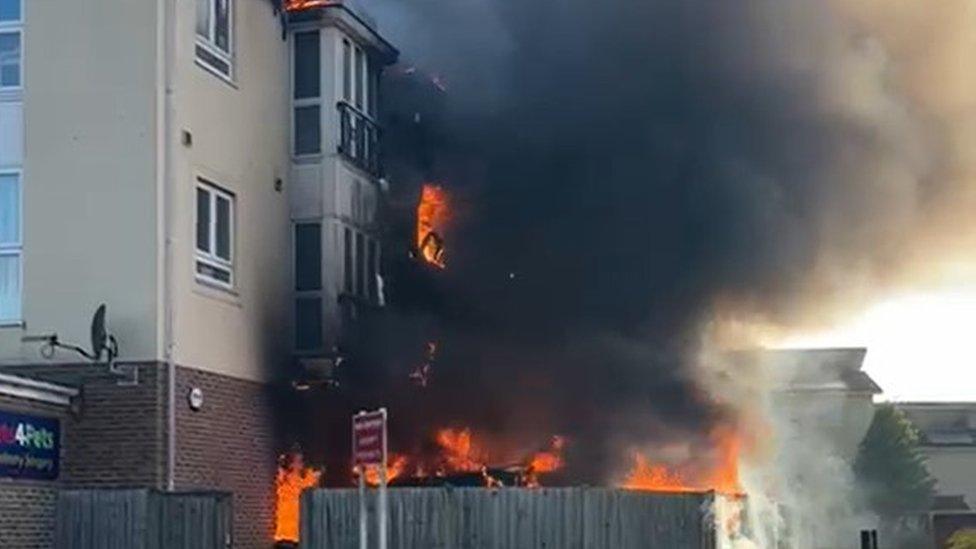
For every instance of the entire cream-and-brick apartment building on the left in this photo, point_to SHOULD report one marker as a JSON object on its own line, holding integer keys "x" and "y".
{"x": 209, "y": 170}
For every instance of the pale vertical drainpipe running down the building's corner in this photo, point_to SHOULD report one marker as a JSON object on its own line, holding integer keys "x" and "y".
{"x": 165, "y": 53}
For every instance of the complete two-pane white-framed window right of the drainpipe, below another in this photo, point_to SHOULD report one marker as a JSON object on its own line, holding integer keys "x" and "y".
{"x": 214, "y": 235}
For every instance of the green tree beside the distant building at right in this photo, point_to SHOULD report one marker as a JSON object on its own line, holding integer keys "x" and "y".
{"x": 891, "y": 468}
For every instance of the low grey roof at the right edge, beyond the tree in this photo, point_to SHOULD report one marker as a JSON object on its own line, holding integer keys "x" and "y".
{"x": 946, "y": 424}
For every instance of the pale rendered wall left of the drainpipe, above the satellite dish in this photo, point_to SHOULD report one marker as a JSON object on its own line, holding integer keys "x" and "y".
{"x": 89, "y": 188}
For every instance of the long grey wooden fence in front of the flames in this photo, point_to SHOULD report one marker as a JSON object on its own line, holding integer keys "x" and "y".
{"x": 514, "y": 518}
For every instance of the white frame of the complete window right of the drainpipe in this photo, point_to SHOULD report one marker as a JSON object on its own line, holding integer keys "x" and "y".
{"x": 210, "y": 258}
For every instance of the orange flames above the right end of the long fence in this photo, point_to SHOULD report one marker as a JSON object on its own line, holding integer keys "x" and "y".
{"x": 722, "y": 476}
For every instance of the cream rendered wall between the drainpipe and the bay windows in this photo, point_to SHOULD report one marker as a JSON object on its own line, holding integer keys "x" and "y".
{"x": 241, "y": 142}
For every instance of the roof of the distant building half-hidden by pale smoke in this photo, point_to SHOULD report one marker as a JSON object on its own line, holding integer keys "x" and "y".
{"x": 835, "y": 369}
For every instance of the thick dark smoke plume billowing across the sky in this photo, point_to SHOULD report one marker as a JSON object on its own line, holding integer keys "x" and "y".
{"x": 630, "y": 174}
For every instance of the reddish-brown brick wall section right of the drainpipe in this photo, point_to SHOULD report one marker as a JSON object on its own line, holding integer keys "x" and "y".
{"x": 229, "y": 445}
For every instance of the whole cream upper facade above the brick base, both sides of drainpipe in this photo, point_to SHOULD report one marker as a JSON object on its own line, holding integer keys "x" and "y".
{"x": 112, "y": 129}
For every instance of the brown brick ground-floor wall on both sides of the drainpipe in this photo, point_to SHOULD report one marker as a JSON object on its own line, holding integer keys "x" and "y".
{"x": 116, "y": 437}
